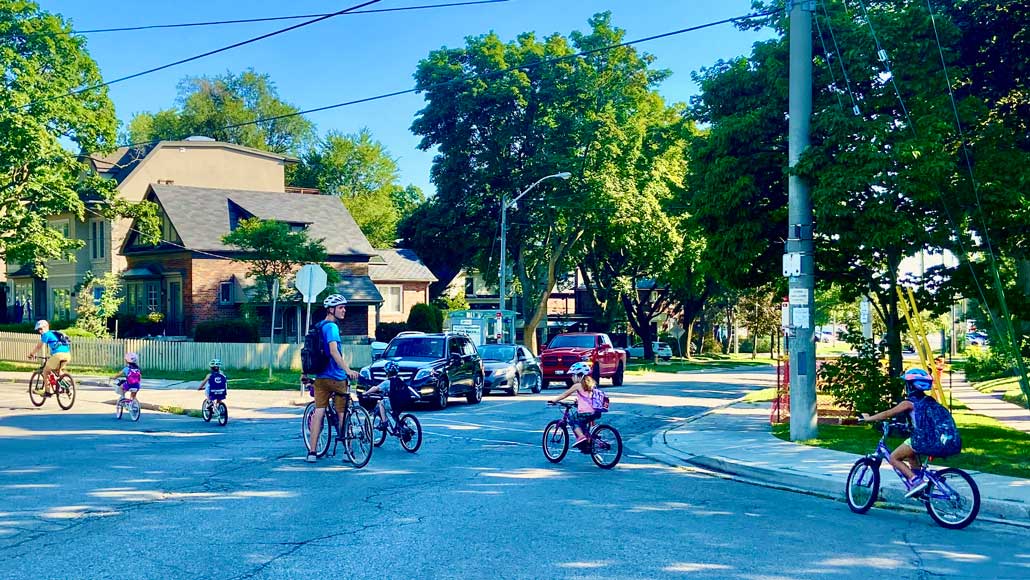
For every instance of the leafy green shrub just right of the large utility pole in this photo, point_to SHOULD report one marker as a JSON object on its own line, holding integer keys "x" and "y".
{"x": 859, "y": 383}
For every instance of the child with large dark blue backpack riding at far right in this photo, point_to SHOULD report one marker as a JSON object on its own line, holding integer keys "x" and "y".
{"x": 934, "y": 430}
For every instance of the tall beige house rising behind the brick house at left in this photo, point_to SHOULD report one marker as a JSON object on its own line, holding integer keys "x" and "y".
{"x": 197, "y": 162}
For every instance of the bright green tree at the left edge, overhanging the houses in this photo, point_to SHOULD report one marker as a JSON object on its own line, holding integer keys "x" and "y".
{"x": 39, "y": 177}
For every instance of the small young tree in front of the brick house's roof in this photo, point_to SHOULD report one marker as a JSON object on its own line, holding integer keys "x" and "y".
{"x": 272, "y": 251}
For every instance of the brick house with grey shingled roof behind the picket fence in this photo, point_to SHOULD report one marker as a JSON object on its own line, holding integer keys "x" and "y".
{"x": 191, "y": 279}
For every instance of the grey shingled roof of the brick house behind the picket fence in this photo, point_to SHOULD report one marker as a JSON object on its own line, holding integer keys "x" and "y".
{"x": 202, "y": 216}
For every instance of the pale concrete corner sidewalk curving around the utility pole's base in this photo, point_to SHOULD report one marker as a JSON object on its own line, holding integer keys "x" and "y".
{"x": 737, "y": 440}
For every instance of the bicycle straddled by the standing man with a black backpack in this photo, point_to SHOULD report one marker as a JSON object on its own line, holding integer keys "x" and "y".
{"x": 358, "y": 429}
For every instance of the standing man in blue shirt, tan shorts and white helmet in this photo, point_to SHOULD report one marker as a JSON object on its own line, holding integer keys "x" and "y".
{"x": 336, "y": 378}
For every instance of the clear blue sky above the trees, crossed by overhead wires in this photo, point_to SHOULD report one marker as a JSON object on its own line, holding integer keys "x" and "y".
{"x": 352, "y": 57}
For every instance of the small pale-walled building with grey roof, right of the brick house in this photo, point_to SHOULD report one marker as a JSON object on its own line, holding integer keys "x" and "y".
{"x": 403, "y": 281}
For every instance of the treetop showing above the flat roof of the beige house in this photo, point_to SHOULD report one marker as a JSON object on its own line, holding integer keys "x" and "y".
{"x": 219, "y": 108}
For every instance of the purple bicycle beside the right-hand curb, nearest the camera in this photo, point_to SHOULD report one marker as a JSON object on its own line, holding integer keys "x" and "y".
{"x": 952, "y": 498}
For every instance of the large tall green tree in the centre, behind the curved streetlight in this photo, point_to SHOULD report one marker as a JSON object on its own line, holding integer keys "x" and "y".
{"x": 499, "y": 133}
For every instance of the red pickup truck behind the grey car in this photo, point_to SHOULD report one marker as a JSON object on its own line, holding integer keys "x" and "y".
{"x": 596, "y": 349}
